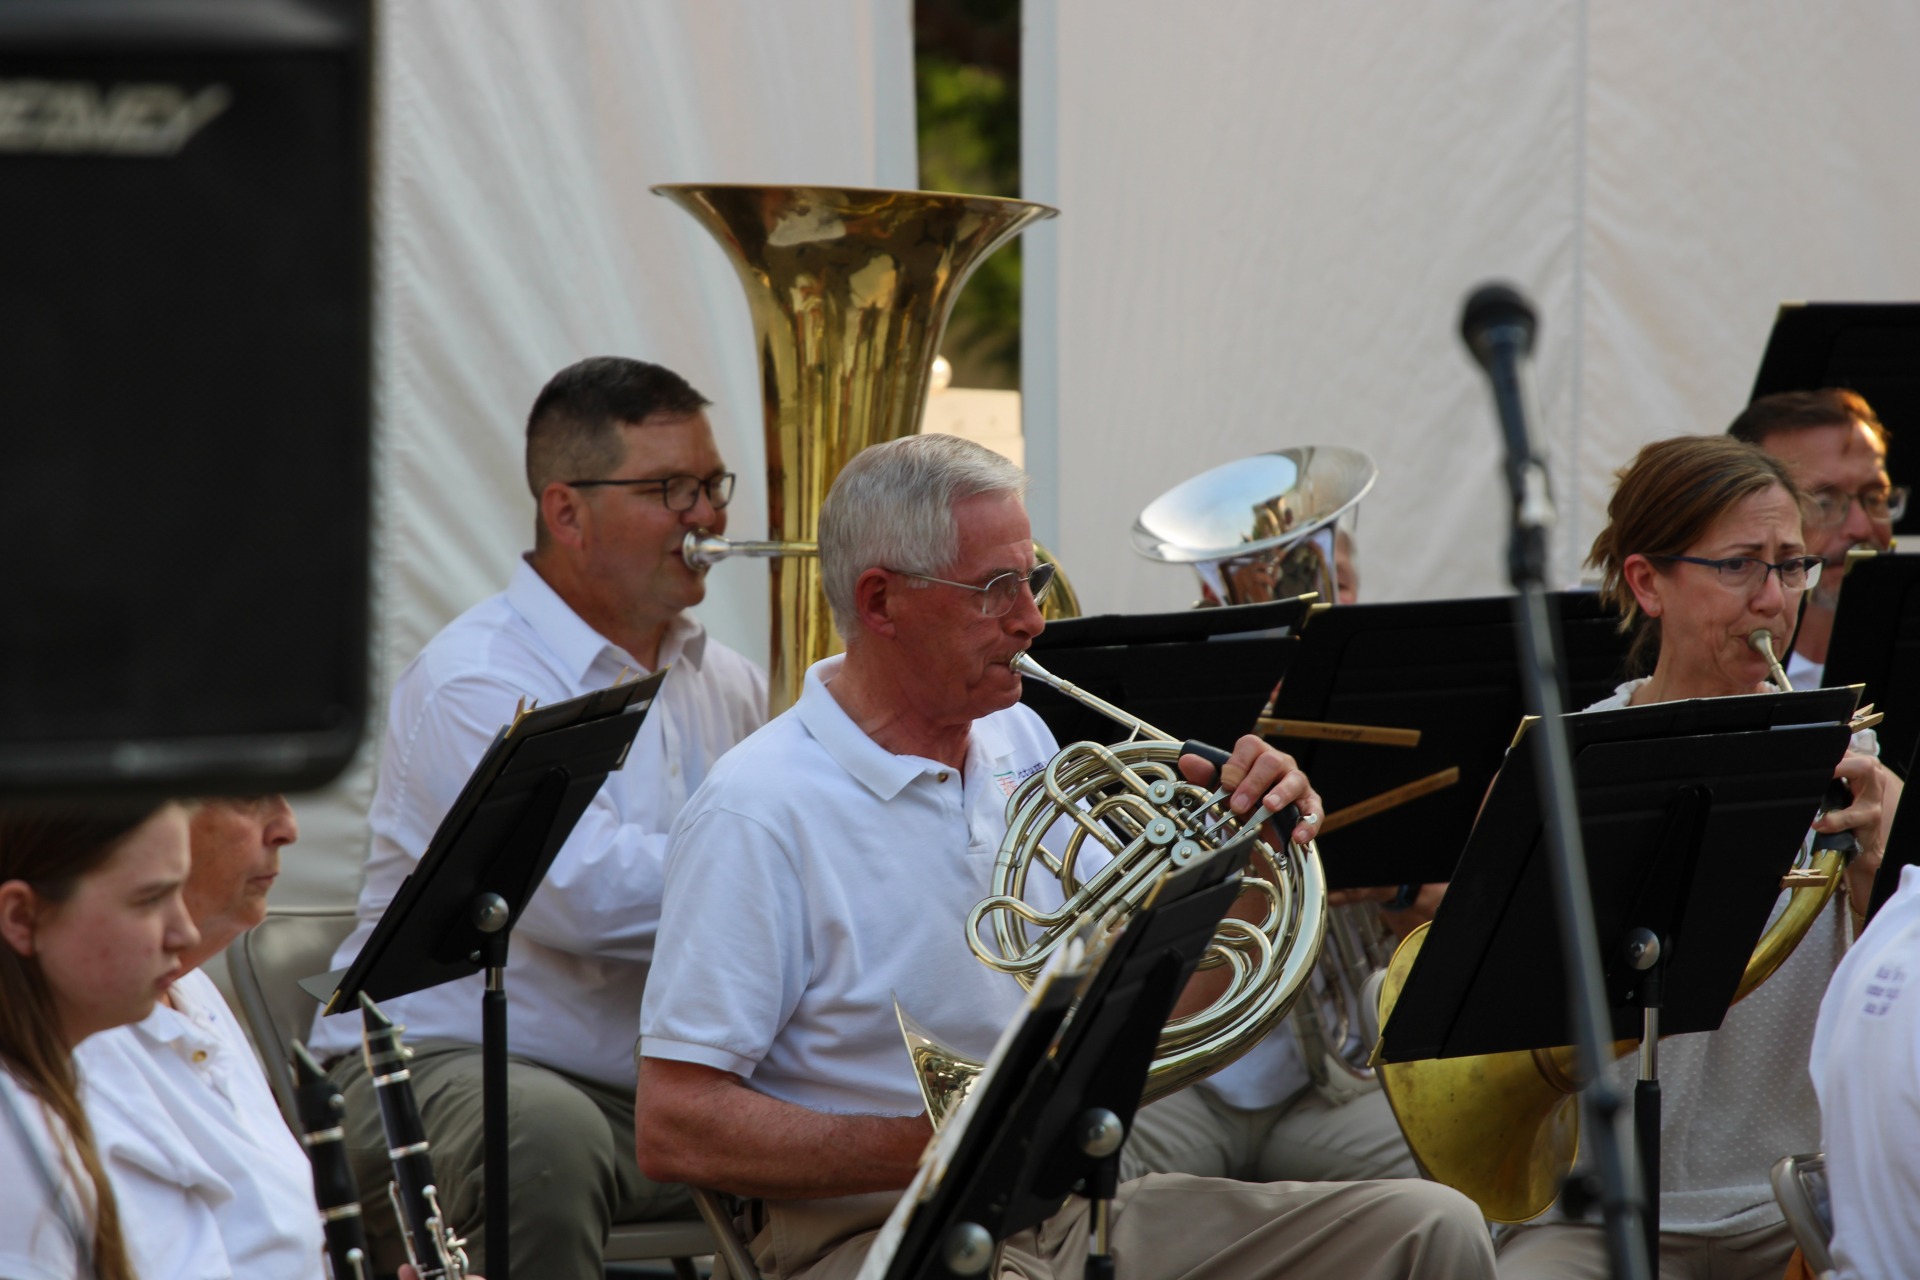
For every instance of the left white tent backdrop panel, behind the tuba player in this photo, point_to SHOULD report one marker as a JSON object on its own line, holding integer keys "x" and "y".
{"x": 516, "y": 145}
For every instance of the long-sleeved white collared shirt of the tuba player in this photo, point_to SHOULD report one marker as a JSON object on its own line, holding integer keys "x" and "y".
{"x": 581, "y": 951}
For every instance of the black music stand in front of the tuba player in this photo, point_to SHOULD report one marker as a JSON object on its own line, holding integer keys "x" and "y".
{"x": 456, "y": 913}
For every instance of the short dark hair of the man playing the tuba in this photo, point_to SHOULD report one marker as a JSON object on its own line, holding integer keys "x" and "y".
{"x": 573, "y": 433}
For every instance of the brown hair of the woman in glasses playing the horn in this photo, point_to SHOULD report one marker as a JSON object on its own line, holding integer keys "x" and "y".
{"x": 1664, "y": 502}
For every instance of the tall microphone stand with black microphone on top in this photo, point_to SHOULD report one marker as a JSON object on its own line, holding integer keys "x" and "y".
{"x": 1499, "y": 327}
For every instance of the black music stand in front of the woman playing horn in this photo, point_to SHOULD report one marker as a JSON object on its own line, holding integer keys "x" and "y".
{"x": 1702, "y": 807}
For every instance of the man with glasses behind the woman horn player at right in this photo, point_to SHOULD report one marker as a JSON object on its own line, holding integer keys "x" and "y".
{"x": 1838, "y": 454}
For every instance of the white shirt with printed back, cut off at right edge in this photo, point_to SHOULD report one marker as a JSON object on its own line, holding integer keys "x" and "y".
{"x": 1867, "y": 1070}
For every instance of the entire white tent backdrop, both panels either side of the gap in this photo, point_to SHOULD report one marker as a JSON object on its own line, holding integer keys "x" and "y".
{"x": 1270, "y": 216}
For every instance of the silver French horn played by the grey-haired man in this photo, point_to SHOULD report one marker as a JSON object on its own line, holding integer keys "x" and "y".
{"x": 1128, "y": 817}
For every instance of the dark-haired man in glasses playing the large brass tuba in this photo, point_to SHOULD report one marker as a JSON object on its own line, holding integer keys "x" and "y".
{"x": 623, "y": 465}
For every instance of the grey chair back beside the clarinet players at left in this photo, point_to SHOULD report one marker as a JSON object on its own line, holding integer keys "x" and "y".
{"x": 266, "y": 966}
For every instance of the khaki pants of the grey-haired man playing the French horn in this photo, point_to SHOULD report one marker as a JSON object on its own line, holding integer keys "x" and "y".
{"x": 1172, "y": 1227}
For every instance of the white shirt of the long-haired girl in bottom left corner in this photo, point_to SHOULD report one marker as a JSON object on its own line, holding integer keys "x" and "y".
{"x": 45, "y": 1206}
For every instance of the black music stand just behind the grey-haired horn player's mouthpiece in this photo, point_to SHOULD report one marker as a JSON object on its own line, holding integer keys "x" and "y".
{"x": 1203, "y": 673}
